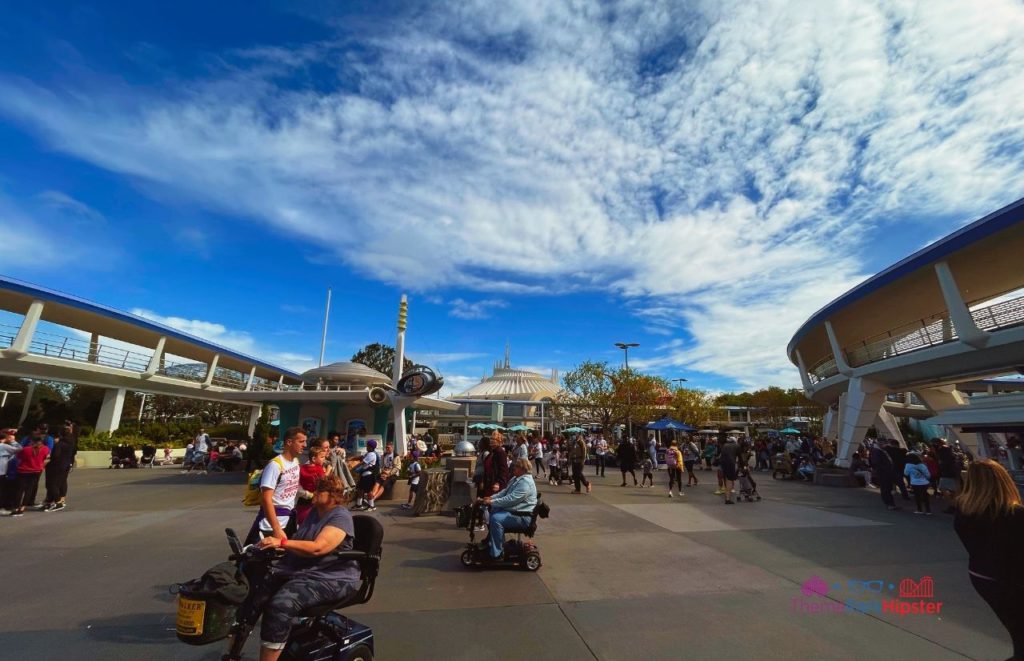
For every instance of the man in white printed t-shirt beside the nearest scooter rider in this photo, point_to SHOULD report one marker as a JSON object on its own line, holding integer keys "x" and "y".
{"x": 279, "y": 490}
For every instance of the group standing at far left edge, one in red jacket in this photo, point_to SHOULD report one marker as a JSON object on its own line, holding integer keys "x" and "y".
{"x": 24, "y": 463}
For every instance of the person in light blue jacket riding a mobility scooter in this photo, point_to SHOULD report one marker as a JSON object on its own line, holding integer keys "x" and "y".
{"x": 515, "y": 511}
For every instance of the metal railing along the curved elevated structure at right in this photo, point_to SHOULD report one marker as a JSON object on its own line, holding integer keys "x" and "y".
{"x": 930, "y": 332}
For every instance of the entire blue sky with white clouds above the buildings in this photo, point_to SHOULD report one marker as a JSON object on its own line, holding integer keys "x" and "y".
{"x": 696, "y": 178}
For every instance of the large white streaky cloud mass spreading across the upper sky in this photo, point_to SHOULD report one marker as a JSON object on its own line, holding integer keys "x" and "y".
{"x": 723, "y": 162}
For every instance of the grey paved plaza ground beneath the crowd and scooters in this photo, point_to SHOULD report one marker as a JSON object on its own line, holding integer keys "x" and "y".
{"x": 628, "y": 574}
